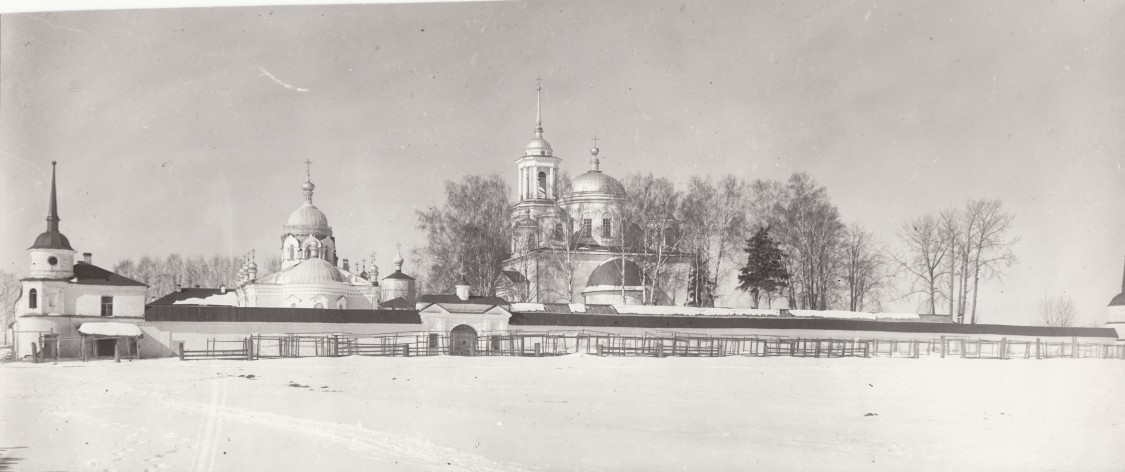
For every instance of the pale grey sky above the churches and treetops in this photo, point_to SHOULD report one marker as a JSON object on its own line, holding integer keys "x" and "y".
{"x": 184, "y": 131}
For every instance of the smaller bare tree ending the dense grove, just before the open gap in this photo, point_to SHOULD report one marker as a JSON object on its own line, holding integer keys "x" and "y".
{"x": 865, "y": 268}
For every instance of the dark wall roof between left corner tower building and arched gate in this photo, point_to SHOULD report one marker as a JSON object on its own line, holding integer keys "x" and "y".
{"x": 190, "y": 313}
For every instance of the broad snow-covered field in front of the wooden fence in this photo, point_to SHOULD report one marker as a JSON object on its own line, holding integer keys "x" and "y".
{"x": 574, "y": 413}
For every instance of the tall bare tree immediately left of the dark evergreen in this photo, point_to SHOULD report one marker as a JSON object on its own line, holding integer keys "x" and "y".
{"x": 715, "y": 215}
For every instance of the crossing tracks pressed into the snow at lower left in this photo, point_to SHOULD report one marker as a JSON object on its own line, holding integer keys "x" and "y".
{"x": 355, "y": 438}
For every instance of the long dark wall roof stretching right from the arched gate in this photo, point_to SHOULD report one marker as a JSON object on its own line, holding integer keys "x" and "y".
{"x": 580, "y": 321}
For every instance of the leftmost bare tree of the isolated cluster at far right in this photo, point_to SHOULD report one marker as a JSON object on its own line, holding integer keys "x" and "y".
{"x": 926, "y": 259}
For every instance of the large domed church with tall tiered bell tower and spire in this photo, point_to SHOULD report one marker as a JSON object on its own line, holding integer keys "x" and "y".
{"x": 570, "y": 244}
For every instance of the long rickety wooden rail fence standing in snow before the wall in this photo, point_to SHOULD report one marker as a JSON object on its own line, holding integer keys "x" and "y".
{"x": 660, "y": 344}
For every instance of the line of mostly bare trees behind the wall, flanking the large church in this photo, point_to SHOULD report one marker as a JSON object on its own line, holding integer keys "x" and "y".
{"x": 784, "y": 241}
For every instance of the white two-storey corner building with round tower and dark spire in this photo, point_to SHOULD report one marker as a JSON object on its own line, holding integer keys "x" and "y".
{"x": 60, "y": 296}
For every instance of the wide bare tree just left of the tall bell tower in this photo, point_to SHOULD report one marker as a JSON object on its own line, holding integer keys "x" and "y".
{"x": 472, "y": 230}
